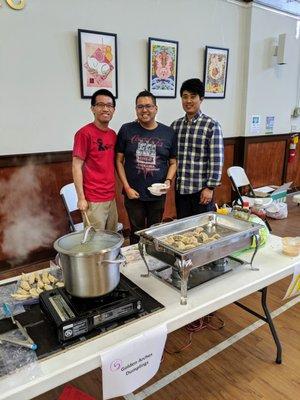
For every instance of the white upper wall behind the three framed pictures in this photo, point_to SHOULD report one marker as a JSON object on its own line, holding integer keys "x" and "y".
{"x": 40, "y": 103}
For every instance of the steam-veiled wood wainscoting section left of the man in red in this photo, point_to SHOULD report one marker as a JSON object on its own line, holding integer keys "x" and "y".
{"x": 46, "y": 173}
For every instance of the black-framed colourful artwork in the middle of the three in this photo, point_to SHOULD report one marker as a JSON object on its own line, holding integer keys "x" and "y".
{"x": 162, "y": 67}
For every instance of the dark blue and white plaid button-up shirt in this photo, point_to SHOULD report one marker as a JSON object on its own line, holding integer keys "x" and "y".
{"x": 200, "y": 153}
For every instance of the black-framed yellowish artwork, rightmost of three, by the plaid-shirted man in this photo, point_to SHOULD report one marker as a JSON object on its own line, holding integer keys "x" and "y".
{"x": 215, "y": 72}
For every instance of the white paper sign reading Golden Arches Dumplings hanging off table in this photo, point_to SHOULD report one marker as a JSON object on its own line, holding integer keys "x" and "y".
{"x": 130, "y": 365}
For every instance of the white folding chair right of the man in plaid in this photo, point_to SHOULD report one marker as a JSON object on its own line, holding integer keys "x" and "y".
{"x": 242, "y": 186}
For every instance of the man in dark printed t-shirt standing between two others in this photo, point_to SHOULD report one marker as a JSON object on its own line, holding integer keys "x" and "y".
{"x": 146, "y": 154}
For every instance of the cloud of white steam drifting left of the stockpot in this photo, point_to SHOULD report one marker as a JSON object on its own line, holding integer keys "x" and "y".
{"x": 26, "y": 223}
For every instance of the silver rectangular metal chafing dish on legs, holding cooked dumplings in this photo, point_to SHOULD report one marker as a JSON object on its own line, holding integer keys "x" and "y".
{"x": 234, "y": 235}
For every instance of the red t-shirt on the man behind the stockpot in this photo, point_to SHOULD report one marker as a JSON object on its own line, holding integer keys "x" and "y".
{"x": 97, "y": 148}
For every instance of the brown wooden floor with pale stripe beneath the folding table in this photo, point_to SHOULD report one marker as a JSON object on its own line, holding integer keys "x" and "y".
{"x": 244, "y": 371}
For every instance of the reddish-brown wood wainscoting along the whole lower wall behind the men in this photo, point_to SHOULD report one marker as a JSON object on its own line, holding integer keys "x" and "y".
{"x": 264, "y": 159}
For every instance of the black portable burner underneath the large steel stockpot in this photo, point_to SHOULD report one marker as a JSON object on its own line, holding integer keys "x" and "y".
{"x": 74, "y": 317}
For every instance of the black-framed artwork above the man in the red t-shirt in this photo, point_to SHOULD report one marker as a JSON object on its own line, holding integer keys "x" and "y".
{"x": 98, "y": 62}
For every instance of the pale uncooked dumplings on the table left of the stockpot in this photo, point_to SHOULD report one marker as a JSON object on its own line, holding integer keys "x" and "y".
{"x": 30, "y": 286}
